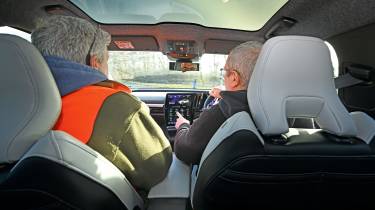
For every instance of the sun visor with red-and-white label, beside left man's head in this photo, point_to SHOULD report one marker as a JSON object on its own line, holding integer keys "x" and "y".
{"x": 136, "y": 43}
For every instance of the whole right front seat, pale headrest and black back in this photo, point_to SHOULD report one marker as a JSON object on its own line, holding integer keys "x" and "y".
{"x": 257, "y": 162}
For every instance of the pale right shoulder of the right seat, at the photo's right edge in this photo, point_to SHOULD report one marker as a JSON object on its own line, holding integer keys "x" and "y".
{"x": 365, "y": 126}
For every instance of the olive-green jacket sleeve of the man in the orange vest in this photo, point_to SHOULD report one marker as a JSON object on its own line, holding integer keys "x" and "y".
{"x": 127, "y": 135}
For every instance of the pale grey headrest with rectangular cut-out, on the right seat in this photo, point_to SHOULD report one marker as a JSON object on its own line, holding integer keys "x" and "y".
{"x": 293, "y": 77}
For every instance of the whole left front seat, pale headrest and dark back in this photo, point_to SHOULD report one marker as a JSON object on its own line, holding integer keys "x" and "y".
{"x": 40, "y": 168}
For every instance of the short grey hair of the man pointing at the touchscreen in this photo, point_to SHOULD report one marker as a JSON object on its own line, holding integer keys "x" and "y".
{"x": 243, "y": 58}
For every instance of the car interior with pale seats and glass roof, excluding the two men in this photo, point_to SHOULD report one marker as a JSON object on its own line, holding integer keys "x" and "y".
{"x": 307, "y": 143}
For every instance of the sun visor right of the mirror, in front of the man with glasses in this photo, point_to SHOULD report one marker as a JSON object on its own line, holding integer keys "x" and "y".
{"x": 220, "y": 46}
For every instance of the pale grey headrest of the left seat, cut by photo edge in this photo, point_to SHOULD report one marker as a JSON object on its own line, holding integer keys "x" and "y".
{"x": 30, "y": 102}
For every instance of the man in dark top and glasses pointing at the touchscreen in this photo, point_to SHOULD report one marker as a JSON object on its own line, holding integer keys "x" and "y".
{"x": 191, "y": 140}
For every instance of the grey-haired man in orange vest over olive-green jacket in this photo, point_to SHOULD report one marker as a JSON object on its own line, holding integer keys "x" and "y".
{"x": 99, "y": 112}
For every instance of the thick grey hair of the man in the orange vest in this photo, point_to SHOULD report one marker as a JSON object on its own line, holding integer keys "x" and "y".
{"x": 70, "y": 38}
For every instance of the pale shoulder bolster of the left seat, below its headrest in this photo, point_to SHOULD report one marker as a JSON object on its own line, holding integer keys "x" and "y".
{"x": 63, "y": 149}
